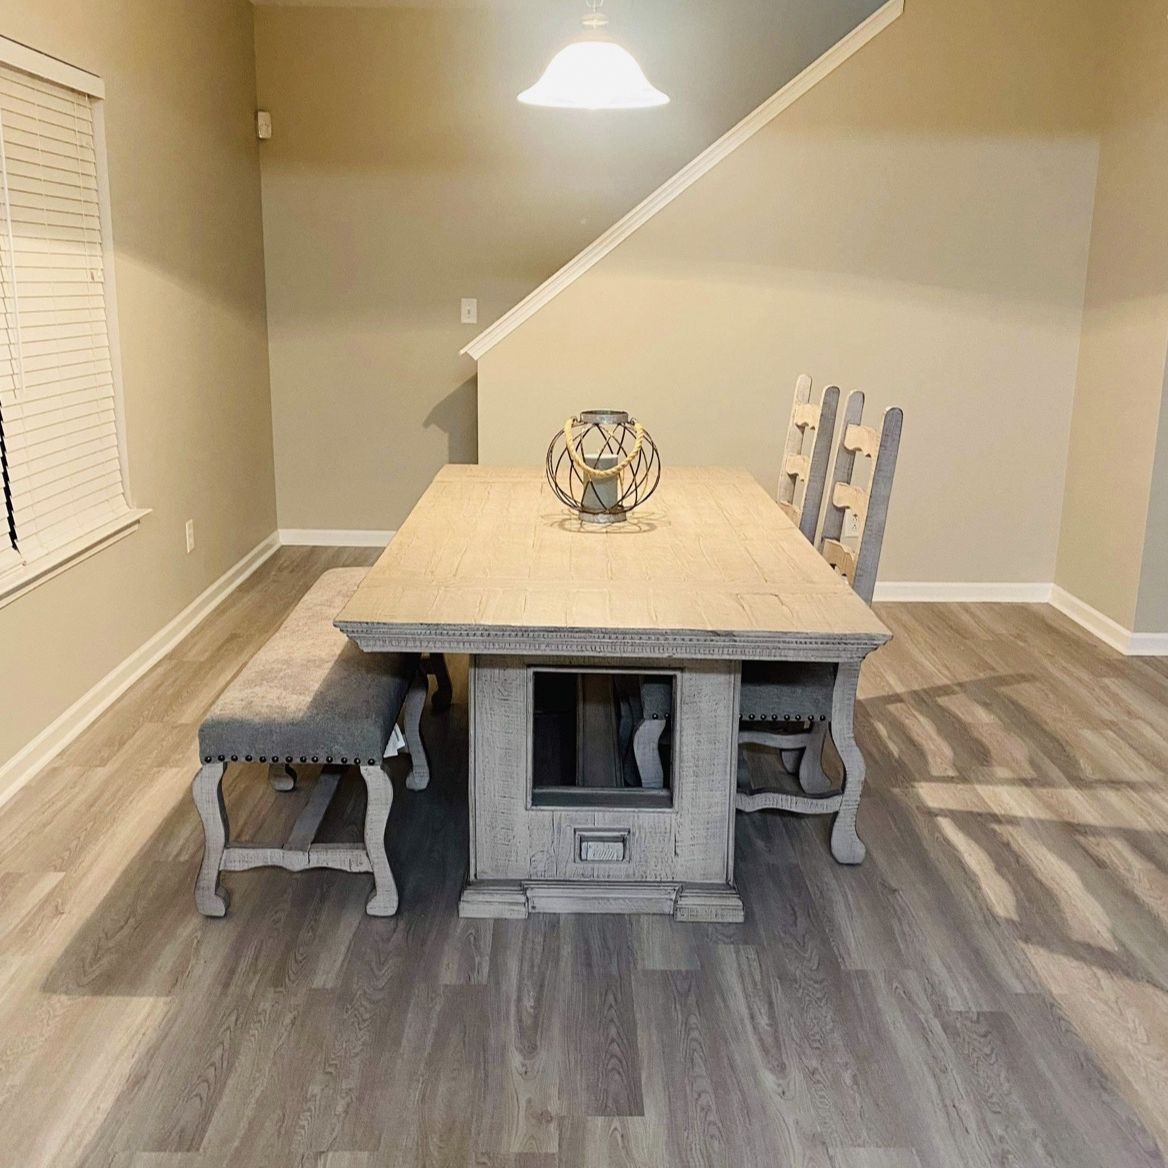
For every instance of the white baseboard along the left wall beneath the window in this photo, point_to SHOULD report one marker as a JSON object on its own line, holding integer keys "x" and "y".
{"x": 38, "y": 754}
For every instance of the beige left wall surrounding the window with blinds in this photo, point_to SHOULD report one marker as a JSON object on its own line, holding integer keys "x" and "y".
{"x": 185, "y": 189}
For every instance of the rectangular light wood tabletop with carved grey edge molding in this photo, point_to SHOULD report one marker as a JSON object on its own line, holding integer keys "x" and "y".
{"x": 490, "y": 562}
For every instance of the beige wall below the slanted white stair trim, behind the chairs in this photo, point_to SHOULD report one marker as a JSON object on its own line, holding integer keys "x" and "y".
{"x": 917, "y": 227}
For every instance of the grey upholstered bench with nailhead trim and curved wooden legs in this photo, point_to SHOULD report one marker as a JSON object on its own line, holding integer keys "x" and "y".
{"x": 310, "y": 696}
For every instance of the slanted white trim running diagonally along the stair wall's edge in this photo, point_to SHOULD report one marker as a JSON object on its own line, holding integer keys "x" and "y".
{"x": 686, "y": 178}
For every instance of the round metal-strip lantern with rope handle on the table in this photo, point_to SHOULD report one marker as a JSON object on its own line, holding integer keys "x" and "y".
{"x": 603, "y": 464}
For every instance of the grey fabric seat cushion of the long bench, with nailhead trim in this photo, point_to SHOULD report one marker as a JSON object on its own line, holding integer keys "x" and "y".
{"x": 310, "y": 694}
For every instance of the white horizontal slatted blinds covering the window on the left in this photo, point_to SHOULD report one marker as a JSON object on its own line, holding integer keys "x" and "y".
{"x": 58, "y": 400}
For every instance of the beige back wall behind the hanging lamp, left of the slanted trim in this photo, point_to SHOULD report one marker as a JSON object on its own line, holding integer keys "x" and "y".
{"x": 405, "y": 176}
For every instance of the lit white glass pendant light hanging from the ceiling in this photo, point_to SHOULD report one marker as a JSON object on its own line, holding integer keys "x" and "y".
{"x": 594, "y": 73}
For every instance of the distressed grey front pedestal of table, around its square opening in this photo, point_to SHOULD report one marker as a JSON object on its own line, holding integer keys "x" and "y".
{"x": 676, "y": 854}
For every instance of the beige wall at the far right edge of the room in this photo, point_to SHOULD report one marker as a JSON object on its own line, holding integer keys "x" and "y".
{"x": 1114, "y": 553}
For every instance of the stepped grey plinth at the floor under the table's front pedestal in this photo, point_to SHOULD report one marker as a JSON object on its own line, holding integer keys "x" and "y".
{"x": 517, "y": 900}
